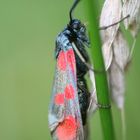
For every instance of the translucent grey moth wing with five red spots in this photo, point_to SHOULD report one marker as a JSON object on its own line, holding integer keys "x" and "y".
{"x": 64, "y": 113}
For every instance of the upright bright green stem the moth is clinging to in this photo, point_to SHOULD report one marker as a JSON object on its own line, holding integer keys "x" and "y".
{"x": 101, "y": 78}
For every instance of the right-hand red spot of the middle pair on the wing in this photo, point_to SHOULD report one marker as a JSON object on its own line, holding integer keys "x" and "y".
{"x": 69, "y": 92}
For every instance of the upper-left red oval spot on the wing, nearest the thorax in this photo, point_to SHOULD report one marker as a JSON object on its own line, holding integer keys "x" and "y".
{"x": 61, "y": 61}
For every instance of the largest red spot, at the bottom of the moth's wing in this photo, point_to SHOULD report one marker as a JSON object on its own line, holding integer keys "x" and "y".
{"x": 67, "y": 129}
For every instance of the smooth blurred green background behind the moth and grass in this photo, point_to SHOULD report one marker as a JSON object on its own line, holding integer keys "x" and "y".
{"x": 28, "y": 29}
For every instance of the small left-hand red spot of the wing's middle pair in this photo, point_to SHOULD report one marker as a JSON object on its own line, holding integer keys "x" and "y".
{"x": 59, "y": 99}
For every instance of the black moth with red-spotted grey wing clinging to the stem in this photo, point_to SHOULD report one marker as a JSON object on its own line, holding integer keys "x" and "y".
{"x": 70, "y": 95}
